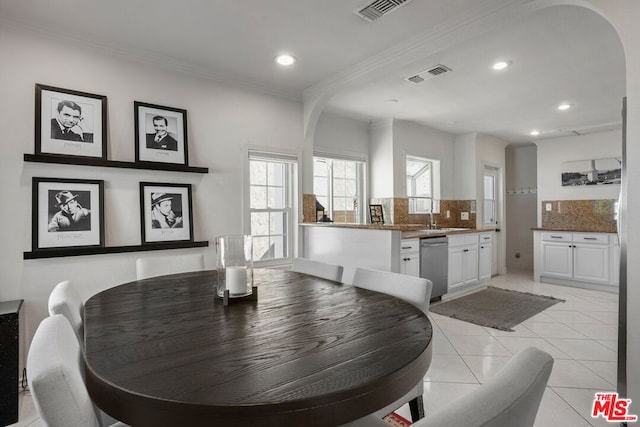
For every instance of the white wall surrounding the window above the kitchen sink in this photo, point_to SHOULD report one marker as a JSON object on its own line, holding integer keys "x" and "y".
{"x": 418, "y": 140}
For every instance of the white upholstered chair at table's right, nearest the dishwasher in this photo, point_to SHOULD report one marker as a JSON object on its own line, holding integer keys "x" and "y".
{"x": 414, "y": 290}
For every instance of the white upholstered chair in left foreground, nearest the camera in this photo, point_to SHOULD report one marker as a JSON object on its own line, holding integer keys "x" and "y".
{"x": 55, "y": 377}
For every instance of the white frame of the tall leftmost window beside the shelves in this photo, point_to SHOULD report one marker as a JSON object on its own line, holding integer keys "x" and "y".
{"x": 291, "y": 200}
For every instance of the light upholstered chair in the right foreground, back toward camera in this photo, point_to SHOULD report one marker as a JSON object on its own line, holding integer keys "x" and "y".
{"x": 510, "y": 398}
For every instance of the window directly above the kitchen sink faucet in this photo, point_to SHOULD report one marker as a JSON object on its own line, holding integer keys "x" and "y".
{"x": 423, "y": 184}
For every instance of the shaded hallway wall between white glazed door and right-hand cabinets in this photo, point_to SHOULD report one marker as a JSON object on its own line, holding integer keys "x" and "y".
{"x": 520, "y": 173}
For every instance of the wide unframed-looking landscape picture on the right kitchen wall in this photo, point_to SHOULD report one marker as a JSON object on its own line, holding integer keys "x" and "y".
{"x": 592, "y": 172}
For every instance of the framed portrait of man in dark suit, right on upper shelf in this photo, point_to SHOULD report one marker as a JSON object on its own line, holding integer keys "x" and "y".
{"x": 161, "y": 134}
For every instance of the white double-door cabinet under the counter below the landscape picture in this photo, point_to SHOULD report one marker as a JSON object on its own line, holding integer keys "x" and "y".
{"x": 583, "y": 257}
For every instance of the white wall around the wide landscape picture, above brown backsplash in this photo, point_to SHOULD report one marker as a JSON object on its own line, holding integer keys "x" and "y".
{"x": 553, "y": 152}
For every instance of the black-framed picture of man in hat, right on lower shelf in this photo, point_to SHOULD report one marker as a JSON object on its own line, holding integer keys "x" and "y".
{"x": 166, "y": 213}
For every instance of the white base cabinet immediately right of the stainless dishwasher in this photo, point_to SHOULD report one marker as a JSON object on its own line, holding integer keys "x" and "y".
{"x": 463, "y": 260}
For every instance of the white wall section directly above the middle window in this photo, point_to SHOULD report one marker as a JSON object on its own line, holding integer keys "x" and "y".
{"x": 341, "y": 135}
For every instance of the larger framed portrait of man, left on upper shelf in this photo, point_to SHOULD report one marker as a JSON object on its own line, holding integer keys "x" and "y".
{"x": 70, "y": 123}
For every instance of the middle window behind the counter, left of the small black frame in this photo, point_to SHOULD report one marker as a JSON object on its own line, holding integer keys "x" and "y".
{"x": 338, "y": 186}
